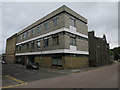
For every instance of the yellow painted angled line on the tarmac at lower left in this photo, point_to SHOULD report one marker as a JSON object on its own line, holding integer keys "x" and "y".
{"x": 16, "y": 80}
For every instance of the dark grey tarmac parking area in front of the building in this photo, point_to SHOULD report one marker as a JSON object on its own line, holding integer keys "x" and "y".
{"x": 21, "y": 73}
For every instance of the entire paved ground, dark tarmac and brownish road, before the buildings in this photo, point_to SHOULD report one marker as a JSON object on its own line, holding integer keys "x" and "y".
{"x": 15, "y": 75}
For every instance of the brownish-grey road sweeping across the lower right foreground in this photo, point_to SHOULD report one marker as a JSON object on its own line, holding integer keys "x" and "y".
{"x": 106, "y": 77}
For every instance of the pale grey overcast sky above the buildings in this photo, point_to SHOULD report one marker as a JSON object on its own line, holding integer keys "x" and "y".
{"x": 102, "y": 17}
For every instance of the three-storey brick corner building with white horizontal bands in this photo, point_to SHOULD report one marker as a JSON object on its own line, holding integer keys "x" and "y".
{"x": 60, "y": 39}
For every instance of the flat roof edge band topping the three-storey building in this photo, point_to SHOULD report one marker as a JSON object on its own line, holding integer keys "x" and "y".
{"x": 52, "y": 14}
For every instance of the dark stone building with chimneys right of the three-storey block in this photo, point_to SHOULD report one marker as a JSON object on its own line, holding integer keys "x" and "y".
{"x": 98, "y": 50}
